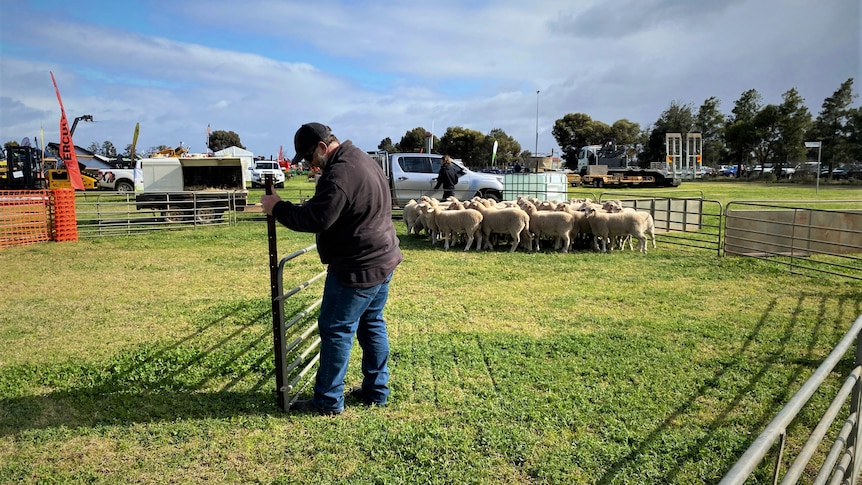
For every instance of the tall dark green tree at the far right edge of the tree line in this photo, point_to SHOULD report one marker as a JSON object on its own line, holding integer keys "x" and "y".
{"x": 833, "y": 126}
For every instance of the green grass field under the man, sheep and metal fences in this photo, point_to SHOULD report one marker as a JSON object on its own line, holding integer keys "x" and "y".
{"x": 148, "y": 359}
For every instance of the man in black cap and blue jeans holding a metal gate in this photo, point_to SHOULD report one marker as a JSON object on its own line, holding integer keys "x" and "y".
{"x": 351, "y": 214}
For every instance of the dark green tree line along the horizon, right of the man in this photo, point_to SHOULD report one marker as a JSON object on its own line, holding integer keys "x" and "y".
{"x": 753, "y": 133}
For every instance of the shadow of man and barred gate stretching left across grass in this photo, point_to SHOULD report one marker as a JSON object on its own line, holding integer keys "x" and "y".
{"x": 208, "y": 373}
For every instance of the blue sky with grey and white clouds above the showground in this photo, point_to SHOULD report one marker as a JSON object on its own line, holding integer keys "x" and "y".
{"x": 373, "y": 69}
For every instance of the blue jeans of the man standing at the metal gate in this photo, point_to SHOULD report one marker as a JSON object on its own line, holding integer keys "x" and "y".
{"x": 346, "y": 311}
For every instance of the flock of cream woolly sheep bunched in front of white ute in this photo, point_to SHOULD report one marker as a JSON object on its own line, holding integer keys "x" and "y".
{"x": 529, "y": 224}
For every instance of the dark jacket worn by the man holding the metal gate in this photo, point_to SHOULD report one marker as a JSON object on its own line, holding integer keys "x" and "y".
{"x": 351, "y": 213}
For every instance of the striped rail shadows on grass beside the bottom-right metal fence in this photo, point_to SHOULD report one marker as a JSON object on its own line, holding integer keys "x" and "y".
{"x": 803, "y": 366}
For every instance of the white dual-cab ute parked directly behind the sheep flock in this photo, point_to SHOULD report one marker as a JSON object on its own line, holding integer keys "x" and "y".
{"x": 412, "y": 175}
